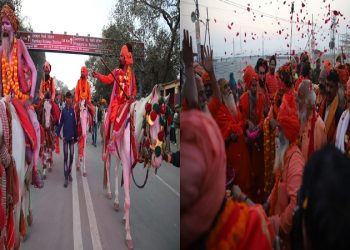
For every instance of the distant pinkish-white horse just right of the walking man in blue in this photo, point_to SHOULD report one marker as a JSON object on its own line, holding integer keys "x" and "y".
{"x": 84, "y": 120}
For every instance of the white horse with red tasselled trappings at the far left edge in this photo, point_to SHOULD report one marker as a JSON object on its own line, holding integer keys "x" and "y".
{"x": 15, "y": 177}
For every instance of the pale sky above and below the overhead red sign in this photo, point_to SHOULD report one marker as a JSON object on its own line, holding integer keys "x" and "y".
{"x": 72, "y": 16}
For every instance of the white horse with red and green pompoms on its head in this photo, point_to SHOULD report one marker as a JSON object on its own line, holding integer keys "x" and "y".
{"x": 139, "y": 137}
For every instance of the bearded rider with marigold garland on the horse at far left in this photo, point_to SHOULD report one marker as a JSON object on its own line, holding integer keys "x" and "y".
{"x": 21, "y": 83}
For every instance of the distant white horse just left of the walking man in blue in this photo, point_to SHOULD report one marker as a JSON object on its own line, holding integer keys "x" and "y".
{"x": 47, "y": 122}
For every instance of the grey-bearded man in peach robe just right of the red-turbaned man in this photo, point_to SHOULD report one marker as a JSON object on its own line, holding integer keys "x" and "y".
{"x": 312, "y": 128}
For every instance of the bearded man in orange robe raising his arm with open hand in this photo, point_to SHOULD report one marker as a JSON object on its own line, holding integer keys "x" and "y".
{"x": 229, "y": 125}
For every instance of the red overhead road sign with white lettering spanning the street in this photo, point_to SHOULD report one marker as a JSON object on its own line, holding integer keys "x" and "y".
{"x": 68, "y": 43}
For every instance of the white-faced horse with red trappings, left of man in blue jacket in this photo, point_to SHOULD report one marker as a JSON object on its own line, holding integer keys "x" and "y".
{"x": 47, "y": 122}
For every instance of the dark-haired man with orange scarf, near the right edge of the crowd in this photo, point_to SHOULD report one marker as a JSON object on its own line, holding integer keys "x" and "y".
{"x": 330, "y": 110}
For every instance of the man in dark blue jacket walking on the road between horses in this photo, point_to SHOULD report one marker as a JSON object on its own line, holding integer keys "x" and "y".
{"x": 70, "y": 134}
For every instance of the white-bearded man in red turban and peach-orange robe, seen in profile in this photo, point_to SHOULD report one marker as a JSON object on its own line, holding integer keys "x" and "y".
{"x": 289, "y": 164}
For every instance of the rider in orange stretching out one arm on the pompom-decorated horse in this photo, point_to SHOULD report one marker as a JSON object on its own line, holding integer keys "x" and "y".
{"x": 126, "y": 79}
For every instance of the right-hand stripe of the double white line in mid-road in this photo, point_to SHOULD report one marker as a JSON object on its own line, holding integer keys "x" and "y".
{"x": 95, "y": 236}
